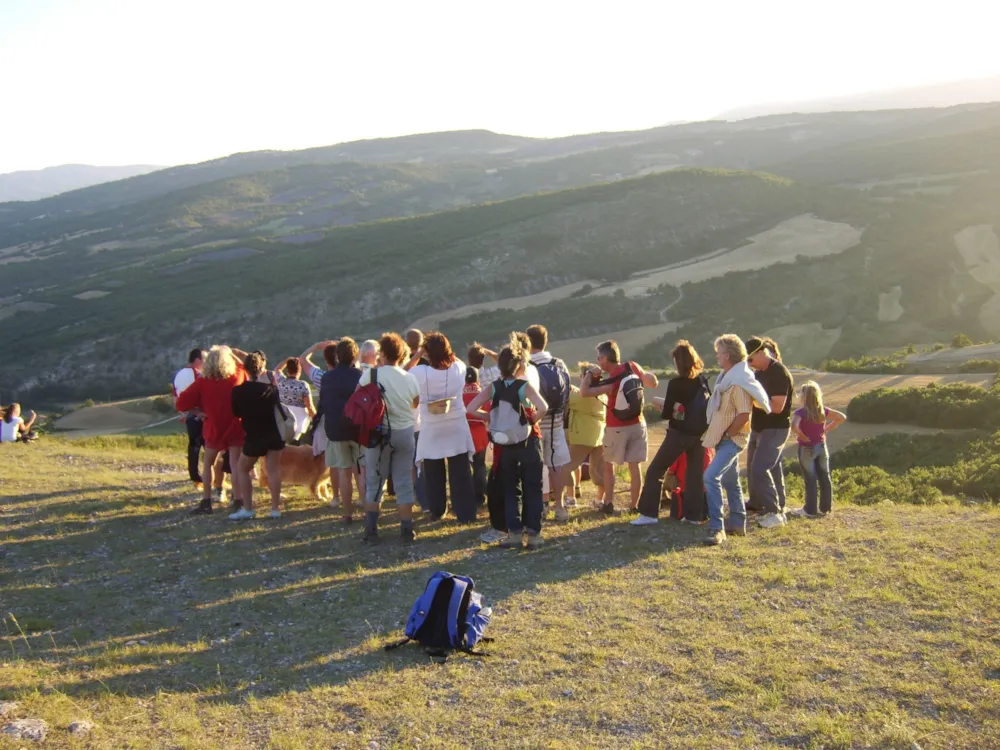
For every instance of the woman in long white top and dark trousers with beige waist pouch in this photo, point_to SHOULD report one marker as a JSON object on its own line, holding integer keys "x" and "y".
{"x": 445, "y": 447}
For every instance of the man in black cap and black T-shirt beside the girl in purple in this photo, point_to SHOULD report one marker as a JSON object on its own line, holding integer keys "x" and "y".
{"x": 768, "y": 432}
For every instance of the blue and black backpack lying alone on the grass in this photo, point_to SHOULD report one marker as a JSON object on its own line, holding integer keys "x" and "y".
{"x": 448, "y": 616}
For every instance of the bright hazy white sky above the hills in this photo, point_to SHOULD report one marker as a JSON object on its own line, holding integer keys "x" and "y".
{"x": 170, "y": 82}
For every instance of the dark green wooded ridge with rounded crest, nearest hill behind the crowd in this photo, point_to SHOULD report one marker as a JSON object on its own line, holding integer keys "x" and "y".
{"x": 365, "y": 278}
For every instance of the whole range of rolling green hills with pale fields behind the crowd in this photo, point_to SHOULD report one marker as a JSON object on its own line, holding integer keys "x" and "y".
{"x": 102, "y": 298}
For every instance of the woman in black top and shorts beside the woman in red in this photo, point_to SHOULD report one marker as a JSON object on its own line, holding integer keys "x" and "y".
{"x": 254, "y": 402}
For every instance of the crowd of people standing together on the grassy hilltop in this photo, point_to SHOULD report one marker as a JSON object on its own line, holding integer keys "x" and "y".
{"x": 506, "y": 429}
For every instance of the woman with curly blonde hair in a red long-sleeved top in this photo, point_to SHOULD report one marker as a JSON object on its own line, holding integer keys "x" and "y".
{"x": 222, "y": 431}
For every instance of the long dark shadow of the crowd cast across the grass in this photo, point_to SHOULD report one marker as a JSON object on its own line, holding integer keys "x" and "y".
{"x": 289, "y": 604}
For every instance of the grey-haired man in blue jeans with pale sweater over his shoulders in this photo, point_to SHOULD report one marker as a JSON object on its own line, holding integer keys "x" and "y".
{"x": 736, "y": 390}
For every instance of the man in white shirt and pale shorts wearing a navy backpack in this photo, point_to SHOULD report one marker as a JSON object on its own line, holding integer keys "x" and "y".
{"x": 554, "y": 385}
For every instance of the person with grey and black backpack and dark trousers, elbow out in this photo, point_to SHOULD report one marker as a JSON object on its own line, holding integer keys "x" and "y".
{"x": 517, "y": 410}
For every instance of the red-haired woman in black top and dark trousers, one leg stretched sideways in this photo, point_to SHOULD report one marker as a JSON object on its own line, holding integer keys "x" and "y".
{"x": 684, "y": 407}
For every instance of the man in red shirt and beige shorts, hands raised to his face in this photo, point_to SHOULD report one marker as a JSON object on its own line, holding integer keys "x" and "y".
{"x": 625, "y": 439}
